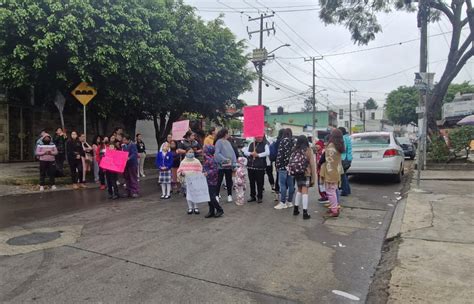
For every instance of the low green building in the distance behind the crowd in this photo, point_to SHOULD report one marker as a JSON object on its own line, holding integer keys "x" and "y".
{"x": 299, "y": 122}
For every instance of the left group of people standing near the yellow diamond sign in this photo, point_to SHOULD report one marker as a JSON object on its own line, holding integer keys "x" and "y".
{"x": 83, "y": 158}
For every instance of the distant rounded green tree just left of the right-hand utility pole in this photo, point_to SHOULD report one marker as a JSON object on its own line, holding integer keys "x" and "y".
{"x": 401, "y": 105}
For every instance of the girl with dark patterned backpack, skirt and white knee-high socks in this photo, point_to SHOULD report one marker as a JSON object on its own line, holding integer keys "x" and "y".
{"x": 302, "y": 167}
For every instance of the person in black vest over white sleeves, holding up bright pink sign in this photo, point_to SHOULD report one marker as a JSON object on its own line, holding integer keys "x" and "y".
{"x": 257, "y": 153}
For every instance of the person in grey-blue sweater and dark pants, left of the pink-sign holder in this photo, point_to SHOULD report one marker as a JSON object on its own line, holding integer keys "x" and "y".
{"x": 226, "y": 160}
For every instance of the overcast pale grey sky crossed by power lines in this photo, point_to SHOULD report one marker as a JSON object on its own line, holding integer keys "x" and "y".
{"x": 308, "y": 36}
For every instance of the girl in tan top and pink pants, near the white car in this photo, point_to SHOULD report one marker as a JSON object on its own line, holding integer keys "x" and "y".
{"x": 331, "y": 170}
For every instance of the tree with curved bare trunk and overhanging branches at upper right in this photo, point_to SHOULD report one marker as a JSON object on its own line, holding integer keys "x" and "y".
{"x": 360, "y": 17}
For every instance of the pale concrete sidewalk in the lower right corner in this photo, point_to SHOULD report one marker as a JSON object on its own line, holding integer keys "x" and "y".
{"x": 437, "y": 241}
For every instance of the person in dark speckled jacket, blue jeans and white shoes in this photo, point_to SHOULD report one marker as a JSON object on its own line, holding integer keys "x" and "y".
{"x": 287, "y": 182}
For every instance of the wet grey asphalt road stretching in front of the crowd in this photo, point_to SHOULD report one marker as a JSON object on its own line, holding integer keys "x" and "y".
{"x": 147, "y": 250}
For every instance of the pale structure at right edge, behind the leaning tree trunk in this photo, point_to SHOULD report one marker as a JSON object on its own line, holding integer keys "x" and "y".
{"x": 452, "y": 112}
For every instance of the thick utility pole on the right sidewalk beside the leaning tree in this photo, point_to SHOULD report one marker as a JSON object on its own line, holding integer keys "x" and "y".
{"x": 422, "y": 19}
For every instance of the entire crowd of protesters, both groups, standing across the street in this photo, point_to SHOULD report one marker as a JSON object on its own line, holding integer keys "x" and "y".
{"x": 299, "y": 164}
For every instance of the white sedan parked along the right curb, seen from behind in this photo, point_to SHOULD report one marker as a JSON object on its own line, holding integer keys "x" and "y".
{"x": 377, "y": 153}
